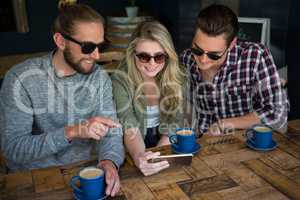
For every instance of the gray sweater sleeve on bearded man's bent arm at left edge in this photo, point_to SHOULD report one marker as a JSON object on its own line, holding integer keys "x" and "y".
{"x": 18, "y": 142}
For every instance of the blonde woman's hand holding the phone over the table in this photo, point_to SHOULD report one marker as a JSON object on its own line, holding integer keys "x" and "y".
{"x": 148, "y": 168}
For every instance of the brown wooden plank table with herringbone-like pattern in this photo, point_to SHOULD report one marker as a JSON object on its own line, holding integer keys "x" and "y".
{"x": 223, "y": 169}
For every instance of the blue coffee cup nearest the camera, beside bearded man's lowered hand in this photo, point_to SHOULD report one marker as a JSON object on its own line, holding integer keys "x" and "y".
{"x": 92, "y": 184}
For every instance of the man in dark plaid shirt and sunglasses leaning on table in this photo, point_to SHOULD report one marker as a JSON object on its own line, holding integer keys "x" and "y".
{"x": 233, "y": 85}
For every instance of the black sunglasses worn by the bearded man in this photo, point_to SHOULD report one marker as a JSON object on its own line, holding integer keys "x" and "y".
{"x": 89, "y": 47}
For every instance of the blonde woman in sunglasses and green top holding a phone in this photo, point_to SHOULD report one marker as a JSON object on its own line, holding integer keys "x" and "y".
{"x": 148, "y": 92}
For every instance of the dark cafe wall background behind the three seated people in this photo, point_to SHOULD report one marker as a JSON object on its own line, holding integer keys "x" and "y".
{"x": 25, "y": 29}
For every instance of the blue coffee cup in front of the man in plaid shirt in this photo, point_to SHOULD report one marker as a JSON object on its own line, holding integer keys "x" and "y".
{"x": 260, "y": 136}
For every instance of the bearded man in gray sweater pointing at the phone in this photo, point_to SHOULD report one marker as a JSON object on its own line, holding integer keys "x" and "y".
{"x": 53, "y": 108}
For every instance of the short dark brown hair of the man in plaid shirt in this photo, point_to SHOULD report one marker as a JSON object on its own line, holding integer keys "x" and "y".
{"x": 218, "y": 19}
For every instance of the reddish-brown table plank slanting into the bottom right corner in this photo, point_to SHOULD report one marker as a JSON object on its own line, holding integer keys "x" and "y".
{"x": 285, "y": 185}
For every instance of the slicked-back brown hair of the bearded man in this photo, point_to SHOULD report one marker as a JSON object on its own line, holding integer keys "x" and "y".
{"x": 70, "y": 14}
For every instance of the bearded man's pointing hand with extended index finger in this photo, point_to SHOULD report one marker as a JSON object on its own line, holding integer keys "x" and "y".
{"x": 95, "y": 127}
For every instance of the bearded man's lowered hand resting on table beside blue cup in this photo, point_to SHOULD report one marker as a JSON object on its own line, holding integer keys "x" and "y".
{"x": 111, "y": 177}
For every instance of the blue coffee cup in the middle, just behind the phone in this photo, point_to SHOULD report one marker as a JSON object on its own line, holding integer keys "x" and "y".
{"x": 184, "y": 139}
